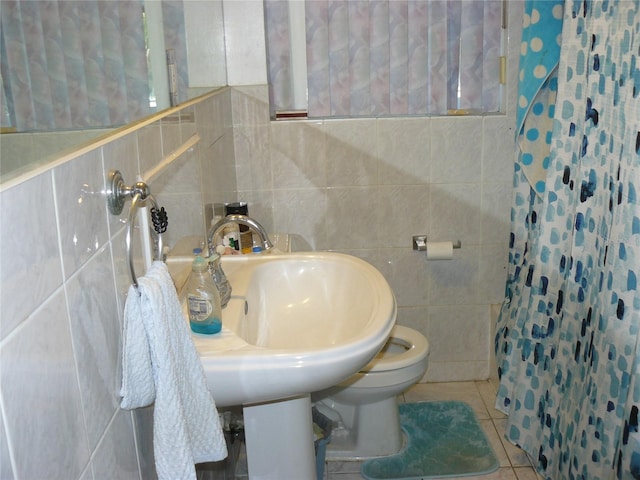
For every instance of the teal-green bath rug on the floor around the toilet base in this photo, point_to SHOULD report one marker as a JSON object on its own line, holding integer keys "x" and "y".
{"x": 444, "y": 439}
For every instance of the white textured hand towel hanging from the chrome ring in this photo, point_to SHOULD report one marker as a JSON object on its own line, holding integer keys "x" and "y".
{"x": 160, "y": 363}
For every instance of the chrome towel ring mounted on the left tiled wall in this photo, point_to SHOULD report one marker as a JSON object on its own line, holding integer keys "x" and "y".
{"x": 140, "y": 195}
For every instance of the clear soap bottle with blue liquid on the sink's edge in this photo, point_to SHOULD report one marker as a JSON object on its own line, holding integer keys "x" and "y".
{"x": 203, "y": 299}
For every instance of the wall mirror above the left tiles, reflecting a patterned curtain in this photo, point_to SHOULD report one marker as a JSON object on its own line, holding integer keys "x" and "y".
{"x": 74, "y": 71}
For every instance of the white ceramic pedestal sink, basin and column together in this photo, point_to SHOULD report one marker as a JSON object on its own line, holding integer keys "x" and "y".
{"x": 296, "y": 323}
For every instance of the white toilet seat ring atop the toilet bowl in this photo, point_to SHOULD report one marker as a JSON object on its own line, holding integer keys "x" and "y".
{"x": 417, "y": 350}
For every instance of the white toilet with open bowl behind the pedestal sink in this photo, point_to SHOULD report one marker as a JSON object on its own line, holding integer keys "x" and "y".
{"x": 363, "y": 408}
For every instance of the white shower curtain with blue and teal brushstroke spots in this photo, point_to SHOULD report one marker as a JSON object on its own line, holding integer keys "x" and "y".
{"x": 567, "y": 336}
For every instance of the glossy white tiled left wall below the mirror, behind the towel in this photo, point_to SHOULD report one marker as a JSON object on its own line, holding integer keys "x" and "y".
{"x": 63, "y": 286}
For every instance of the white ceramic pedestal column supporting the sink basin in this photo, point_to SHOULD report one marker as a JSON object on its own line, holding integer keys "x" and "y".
{"x": 279, "y": 439}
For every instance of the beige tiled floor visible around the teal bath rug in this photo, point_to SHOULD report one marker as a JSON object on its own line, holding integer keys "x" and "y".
{"x": 514, "y": 464}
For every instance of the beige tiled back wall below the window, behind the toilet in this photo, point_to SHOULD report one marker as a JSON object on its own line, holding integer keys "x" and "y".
{"x": 364, "y": 187}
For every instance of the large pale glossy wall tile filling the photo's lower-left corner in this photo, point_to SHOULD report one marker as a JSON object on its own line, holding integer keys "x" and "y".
{"x": 41, "y": 397}
